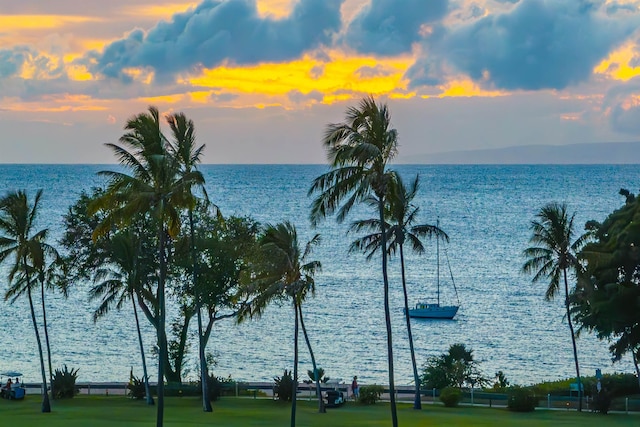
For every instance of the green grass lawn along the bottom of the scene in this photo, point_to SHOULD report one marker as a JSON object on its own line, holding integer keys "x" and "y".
{"x": 232, "y": 412}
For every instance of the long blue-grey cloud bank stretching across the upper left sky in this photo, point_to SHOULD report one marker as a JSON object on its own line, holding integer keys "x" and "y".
{"x": 219, "y": 31}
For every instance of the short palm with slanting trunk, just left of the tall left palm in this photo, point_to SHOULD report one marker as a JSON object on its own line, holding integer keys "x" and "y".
{"x": 121, "y": 280}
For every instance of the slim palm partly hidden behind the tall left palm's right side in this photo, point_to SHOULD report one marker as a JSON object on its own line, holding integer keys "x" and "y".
{"x": 188, "y": 155}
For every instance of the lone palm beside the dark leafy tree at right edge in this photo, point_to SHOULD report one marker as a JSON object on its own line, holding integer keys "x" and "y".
{"x": 552, "y": 257}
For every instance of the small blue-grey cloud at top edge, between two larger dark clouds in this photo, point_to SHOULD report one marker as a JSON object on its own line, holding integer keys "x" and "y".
{"x": 390, "y": 27}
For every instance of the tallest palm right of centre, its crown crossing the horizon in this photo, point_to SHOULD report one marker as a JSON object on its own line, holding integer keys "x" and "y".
{"x": 359, "y": 149}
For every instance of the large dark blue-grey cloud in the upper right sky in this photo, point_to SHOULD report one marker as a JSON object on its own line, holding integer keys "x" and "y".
{"x": 539, "y": 44}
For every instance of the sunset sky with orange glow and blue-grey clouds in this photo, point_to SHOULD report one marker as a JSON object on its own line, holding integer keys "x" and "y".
{"x": 262, "y": 79}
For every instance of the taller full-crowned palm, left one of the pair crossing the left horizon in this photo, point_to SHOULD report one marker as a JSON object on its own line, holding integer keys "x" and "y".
{"x": 153, "y": 185}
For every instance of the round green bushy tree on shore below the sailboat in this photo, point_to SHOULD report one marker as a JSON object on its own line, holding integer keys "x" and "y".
{"x": 455, "y": 368}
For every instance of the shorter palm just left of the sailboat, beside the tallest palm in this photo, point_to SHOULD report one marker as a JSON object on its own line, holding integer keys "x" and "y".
{"x": 401, "y": 215}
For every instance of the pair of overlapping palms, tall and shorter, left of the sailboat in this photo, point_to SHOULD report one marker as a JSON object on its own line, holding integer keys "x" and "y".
{"x": 360, "y": 150}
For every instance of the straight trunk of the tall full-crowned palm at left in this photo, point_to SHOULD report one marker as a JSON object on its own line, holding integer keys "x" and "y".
{"x": 162, "y": 337}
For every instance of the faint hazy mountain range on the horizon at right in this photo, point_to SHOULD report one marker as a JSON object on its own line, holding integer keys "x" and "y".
{"x": 591, "y": 153}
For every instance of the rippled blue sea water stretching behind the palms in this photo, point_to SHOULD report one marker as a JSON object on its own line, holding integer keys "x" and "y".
{"x": 485, "y": 210}
